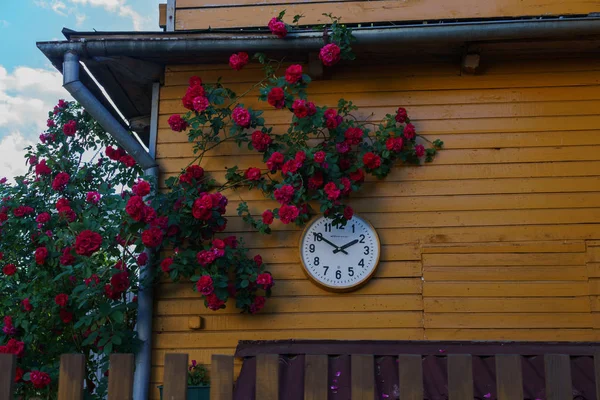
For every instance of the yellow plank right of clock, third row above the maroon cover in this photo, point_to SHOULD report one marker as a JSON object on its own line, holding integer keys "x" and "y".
{"x": 506, "y": 304}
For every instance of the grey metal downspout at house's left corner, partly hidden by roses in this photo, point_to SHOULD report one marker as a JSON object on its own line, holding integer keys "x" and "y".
{"x": 93, "y": 106}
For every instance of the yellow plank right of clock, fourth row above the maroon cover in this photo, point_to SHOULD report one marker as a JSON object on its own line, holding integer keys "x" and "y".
{"x": 508, "y": 289}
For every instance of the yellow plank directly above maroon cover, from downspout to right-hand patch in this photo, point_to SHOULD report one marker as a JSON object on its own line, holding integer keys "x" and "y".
{"x": 230, "y": 339}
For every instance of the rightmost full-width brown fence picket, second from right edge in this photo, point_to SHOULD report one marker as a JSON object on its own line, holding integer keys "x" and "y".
{"x": 558, "y": 377}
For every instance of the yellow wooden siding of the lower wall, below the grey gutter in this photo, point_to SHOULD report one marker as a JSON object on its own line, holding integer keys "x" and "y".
{"x": 497, "y": 239}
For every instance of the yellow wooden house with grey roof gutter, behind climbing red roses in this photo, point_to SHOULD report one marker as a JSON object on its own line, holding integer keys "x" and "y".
{"x": 498, "y": 239}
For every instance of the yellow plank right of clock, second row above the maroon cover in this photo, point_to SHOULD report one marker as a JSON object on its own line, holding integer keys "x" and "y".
{"x": 508, "y": 320}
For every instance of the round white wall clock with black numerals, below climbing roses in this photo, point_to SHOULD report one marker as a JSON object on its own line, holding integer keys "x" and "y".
{"x": 339, "y": 258}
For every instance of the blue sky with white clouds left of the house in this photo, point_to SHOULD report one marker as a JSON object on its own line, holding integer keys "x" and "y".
{"x": 29, "y": 85}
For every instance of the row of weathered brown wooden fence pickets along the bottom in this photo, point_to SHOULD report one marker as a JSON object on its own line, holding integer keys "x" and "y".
{"x": 509, "y": 378}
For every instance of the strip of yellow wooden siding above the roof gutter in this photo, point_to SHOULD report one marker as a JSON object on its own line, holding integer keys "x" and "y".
{"x": 201, "y": 14}
